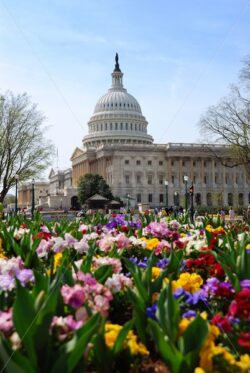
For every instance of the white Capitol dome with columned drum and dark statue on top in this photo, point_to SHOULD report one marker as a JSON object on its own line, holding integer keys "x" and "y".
{"x": 117, "y": 117}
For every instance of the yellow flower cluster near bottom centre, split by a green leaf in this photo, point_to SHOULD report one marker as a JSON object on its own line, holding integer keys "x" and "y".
{"x": 111, "y": 334}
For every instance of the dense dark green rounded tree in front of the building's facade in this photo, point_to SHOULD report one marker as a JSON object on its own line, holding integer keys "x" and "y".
{"x": 91, "y": 184}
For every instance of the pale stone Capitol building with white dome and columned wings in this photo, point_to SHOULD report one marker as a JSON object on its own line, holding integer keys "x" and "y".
{"x": 119, "y": 148}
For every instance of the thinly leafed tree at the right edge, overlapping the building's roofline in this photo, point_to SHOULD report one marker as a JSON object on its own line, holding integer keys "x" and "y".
{"x": 228, "y": 122}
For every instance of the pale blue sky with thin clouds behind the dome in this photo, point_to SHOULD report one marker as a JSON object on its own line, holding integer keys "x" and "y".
{"x": 178, "y": 58}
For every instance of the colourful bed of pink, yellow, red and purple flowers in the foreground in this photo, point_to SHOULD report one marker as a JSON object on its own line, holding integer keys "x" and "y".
{"x": 124, "y": 294}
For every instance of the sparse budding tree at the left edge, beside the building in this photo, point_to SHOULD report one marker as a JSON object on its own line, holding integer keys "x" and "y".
{"x": 23, "y": 149}
